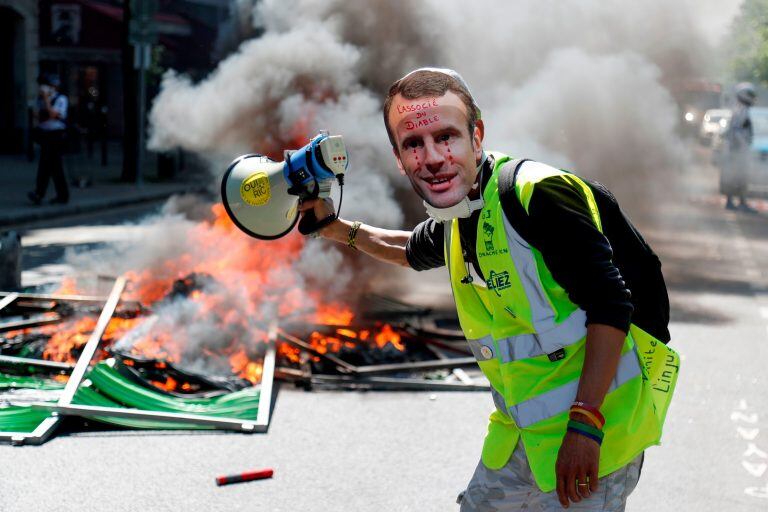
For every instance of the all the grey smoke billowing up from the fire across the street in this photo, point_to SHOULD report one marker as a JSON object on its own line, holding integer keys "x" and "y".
{"x": 584, "y": 84}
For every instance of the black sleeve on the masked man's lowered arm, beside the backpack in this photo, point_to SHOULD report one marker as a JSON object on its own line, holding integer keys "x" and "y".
{"x": 577, "y": 253}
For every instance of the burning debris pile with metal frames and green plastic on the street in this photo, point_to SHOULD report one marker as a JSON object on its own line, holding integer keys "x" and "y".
{"x": 198, "y": 346}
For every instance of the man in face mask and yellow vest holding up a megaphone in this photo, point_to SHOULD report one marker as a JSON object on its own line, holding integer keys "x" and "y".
{"x": 549, "y": 327}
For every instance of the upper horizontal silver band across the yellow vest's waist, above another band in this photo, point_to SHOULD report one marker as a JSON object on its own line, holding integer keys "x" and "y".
{"x": 523, "y": 346}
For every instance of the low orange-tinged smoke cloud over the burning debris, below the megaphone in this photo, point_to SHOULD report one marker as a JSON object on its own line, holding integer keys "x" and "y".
{"x": 212, "y": 290}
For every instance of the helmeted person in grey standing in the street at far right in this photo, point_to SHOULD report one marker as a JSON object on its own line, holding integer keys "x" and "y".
{"x": 734, "y": 175}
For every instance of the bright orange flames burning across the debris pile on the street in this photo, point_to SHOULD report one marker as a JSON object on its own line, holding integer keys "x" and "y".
{"x": 224, "y": 286}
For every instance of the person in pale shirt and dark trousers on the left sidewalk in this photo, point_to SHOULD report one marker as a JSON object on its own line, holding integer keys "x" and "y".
{"x": 51, "y": 130}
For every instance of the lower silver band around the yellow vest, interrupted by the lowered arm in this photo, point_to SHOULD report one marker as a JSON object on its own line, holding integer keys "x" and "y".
{"x": 560, "y": 399}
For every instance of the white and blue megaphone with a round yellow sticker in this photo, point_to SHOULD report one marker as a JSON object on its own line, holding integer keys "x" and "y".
{"x": 262, "y": 196}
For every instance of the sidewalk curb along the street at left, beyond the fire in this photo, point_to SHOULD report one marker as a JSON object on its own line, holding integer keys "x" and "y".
{"x": 46, "y": 212}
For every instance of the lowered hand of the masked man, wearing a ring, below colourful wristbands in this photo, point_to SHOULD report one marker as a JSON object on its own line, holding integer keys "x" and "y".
{"x": 577, "y": 464}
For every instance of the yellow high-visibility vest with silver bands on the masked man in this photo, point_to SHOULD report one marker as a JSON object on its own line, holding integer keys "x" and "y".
{"x": 528, "y": 338}
